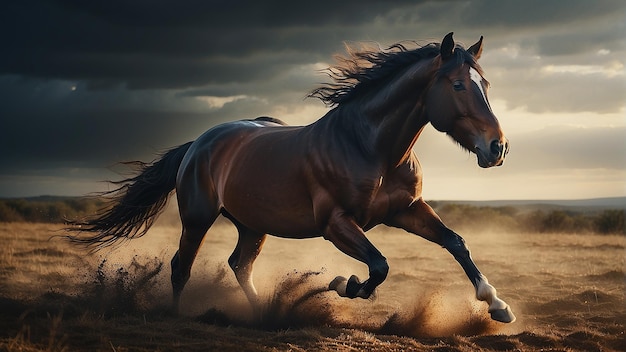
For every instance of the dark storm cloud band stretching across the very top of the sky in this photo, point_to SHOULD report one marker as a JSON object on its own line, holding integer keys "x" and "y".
{"x": 164, "y": 44}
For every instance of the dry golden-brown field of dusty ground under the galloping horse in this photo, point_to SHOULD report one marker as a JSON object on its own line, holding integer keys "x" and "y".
{"x": 567, "y": 290}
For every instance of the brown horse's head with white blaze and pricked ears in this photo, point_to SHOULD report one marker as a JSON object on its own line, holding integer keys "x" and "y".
{"x": 457, "y": 104}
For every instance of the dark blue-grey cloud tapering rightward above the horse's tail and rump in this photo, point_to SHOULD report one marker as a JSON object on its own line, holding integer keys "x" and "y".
{"x": 51, "y": 124}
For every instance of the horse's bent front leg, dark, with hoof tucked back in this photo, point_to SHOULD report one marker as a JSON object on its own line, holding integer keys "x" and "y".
{"x": 349, "y": 238}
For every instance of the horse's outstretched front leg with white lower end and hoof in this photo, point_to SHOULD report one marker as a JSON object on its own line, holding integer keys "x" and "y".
{"x": 421, "y": 220}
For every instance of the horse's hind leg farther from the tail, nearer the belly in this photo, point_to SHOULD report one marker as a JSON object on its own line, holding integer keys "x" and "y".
{"x": 248, "y": 247}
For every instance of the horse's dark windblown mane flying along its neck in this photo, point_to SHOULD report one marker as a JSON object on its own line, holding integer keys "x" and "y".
{"x": 365, "y": 67}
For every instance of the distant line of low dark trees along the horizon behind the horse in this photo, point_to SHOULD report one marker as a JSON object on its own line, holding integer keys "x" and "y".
{"x": 456, "y": 216}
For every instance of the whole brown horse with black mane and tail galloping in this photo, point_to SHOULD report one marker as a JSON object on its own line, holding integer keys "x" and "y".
{"x": 338, "y": 177}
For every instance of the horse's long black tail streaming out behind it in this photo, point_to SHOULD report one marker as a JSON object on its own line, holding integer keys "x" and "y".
{"x": 134, "y": 206}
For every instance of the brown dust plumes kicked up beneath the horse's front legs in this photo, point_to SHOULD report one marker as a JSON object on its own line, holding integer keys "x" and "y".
{"x": 302, "y": 300}
